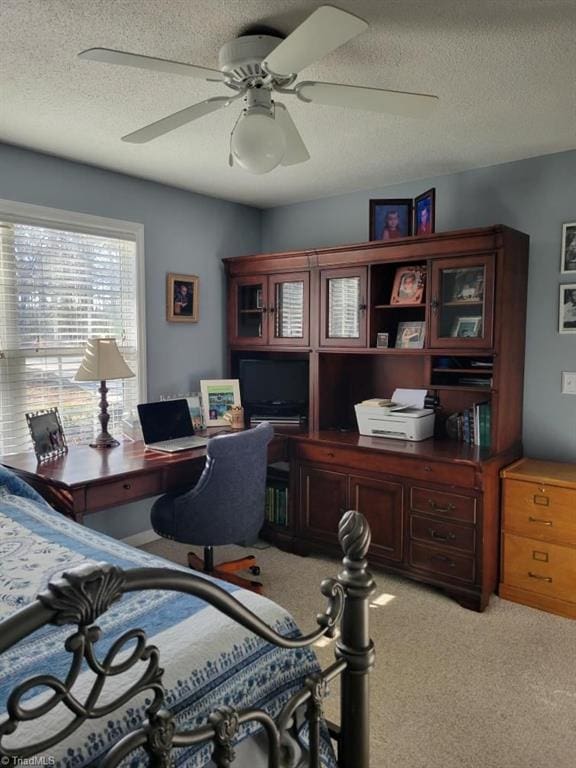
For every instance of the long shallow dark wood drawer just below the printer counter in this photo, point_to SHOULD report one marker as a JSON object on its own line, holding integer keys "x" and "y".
{"x": 385, "y": 463}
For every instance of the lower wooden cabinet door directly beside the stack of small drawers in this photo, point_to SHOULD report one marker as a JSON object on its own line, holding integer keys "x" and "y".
{"x": 381, "y": 503}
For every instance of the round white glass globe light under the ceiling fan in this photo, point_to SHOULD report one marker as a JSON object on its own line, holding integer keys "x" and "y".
{"x": 258, "y": 141}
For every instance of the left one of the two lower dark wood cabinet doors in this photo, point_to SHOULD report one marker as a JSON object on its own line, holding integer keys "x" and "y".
{"x": 322, "y": 501}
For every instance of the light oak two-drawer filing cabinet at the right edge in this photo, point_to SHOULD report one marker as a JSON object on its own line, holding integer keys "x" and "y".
{"x": 539, "y": 535}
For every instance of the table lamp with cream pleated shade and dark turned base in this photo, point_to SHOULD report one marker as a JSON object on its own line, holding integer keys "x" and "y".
{"x": 103, "y": 362}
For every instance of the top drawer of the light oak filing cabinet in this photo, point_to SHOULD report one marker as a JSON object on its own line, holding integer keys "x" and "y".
{"x": 540, "y": 511}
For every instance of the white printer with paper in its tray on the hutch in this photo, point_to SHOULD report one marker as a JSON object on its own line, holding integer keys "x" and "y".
{"x": 401, "y": 418}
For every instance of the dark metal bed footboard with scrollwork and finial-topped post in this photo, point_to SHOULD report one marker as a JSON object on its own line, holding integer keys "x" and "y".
{"x": 84, "y": 593}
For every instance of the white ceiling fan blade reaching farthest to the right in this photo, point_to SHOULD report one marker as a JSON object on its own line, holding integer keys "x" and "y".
{"x": 370, "y": 99}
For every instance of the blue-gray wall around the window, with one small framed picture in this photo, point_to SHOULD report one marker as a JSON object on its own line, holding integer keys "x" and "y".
{"x": 183, "y": 232}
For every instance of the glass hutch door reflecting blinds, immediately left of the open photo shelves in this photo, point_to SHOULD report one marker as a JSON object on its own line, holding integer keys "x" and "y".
{"x": 343, "y": 307}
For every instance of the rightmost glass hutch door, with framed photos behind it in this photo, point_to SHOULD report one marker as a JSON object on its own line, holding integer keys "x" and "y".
{"x": 462, "y": 302}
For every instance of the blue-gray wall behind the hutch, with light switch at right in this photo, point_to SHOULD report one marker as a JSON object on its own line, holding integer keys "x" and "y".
{"x": 535, "y": 196}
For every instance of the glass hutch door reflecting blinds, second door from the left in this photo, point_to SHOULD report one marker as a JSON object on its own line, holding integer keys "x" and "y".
{"x": 290, "y": 309}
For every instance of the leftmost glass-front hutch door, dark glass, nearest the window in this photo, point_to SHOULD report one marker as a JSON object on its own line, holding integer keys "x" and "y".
{"x": 247, "y": 311}
